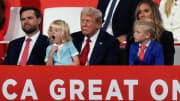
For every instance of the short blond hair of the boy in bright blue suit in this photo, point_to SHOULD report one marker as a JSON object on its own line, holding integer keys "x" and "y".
{"x": 146, "y": 24}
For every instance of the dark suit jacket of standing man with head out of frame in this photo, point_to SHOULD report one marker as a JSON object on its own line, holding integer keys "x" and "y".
{"x": 123, "y": 18}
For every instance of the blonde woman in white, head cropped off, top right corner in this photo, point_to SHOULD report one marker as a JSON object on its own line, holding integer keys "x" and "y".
{"x": 171, "y": 17}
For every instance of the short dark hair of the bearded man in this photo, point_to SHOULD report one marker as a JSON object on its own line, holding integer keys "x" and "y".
{"x": 37, "y": 11}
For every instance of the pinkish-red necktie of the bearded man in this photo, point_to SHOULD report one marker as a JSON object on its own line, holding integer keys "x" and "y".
{"x": 25, "y": 53}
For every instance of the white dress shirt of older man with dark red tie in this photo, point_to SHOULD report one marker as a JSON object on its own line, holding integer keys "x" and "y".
{"x": 92, "y": 44}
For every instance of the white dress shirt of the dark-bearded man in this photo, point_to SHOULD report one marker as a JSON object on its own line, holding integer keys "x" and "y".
{"x": 31, "y": 45}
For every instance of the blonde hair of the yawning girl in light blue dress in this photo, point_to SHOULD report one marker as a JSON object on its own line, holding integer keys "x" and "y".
{"x": 63, "y": 26}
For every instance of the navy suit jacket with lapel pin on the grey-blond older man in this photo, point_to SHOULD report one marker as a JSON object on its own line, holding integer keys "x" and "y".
{"x": 106, "y": 49}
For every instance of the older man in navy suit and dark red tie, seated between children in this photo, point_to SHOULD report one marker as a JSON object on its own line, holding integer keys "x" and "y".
{"x": 103, "y": 48}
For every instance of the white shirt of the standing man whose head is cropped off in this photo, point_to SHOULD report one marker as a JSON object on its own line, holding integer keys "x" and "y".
{"x": 109, "y": 28}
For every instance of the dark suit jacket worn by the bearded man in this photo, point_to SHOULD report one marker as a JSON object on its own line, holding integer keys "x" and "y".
{"x": 37, "y": 55}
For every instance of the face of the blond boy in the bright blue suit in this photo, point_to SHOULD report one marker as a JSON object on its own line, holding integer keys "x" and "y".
{"x": 140, "y": 35}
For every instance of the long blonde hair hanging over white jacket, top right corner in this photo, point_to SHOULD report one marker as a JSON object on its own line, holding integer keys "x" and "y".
{"x": 168, "y": 6}
